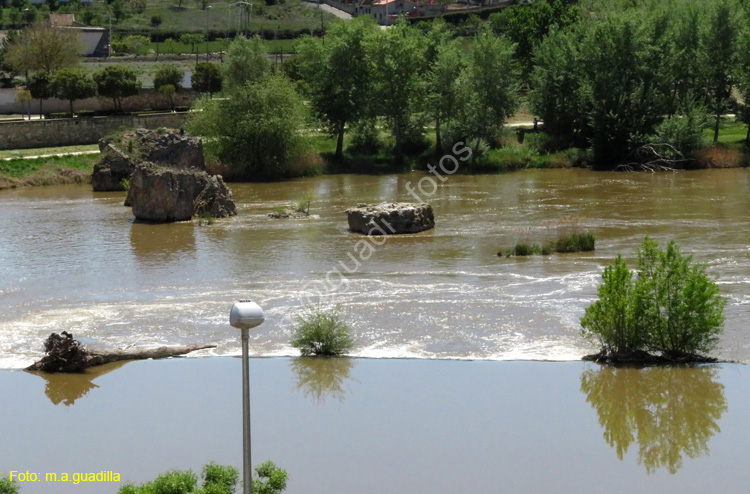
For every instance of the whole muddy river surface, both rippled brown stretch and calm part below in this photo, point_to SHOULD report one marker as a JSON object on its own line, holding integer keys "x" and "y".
{"x": 73, "y": 260}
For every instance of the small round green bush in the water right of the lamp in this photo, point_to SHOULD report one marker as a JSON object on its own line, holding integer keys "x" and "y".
{"x": 321, "y": 333}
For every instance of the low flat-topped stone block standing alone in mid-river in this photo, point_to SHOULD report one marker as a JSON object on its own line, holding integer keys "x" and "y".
{"x": 390, "y": 218}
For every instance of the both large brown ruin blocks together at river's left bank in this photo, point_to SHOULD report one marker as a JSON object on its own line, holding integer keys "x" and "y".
{"x": 165, "y": 175}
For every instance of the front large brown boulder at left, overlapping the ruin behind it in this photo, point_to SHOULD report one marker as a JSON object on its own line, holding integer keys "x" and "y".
{"x": 161, "y": 194}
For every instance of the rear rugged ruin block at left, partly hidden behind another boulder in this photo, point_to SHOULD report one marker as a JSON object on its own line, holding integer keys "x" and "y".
{"x": 120, "y": 155}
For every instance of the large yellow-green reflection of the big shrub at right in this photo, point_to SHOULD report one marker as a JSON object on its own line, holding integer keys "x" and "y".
{"x": 671, "y": 412}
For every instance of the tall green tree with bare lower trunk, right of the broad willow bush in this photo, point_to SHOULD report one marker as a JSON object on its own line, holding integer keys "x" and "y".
{"x": 337, "y": 74}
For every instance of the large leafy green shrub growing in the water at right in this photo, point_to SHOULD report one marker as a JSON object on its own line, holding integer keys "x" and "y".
{"x": 671, "y": 307}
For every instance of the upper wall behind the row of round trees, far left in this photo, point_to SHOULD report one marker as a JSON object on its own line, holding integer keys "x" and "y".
{"x": 147, "y": 99}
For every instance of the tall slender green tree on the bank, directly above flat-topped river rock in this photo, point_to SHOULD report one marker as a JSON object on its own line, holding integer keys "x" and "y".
{"x": 399, "y": 77}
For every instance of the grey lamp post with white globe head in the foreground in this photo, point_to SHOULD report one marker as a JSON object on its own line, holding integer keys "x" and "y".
{"x": 244, "y": 315}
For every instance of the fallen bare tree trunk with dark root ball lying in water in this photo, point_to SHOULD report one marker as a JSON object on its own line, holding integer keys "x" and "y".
{"x": 65, "y": 354}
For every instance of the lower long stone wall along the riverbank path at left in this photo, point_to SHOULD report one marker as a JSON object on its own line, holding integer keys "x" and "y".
{"x": 83, "y": 130}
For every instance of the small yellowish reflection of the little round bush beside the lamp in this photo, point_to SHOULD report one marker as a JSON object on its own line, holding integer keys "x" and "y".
{"x": 320, "y": 377}
